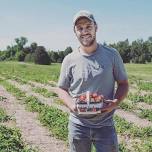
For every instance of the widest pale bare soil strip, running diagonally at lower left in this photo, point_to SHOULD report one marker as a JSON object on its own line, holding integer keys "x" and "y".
{"x": 32, "y": 131}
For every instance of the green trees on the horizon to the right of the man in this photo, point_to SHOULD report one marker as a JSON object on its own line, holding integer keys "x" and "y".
{"x": 139, "y": 51}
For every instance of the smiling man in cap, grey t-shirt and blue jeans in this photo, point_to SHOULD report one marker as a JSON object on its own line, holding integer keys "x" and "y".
{"x": 94, "y": 68}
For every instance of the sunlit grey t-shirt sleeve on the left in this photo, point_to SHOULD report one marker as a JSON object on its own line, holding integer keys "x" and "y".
{"x": 64, "y": 78}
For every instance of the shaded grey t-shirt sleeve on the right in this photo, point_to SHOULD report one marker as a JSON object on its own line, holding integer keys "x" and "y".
{"x": 119, "y": 68}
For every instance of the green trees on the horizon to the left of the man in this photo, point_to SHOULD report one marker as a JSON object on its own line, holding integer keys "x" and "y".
{"x": 32, "y": 53}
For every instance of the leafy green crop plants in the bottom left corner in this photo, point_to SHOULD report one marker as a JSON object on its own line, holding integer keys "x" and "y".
{"x": 10, "y": 138}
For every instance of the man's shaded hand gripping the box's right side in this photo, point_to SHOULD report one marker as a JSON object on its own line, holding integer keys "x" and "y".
{"x": 109, "y": 105}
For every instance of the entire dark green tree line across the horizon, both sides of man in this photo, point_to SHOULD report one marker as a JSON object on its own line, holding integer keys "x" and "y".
{"x": 139, "y": 51}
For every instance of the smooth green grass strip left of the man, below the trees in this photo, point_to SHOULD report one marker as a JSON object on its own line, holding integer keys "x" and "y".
{"x": 32, "y": 72}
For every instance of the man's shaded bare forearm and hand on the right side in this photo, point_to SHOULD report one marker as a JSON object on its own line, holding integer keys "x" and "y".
{"x": 120, "y": 94}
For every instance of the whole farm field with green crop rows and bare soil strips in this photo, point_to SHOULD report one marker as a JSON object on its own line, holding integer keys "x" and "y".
{"x": 33, "y": 118}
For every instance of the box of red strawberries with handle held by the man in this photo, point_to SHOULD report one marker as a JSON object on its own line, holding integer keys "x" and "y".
{"x": 89, "y": 103}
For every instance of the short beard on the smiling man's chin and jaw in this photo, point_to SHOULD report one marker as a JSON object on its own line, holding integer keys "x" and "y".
{"x": 86, "y": 42}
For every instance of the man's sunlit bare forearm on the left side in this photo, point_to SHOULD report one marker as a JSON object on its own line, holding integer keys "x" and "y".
{"x": 67, "y": 99}
